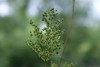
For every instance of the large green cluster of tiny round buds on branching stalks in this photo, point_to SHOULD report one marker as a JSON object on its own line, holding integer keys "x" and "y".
{"x": 48, "y": 41}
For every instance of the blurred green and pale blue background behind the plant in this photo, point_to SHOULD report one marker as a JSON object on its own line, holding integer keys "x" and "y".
{"x": 83, "y": 47}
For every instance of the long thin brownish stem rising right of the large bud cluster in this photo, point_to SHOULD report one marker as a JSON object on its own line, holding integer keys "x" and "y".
{"x": 68, "y": 35}
